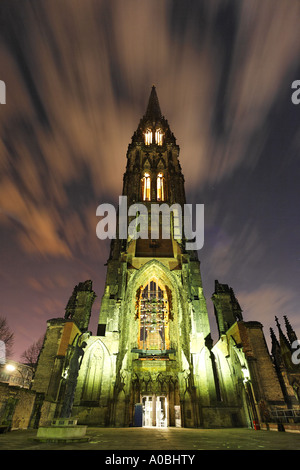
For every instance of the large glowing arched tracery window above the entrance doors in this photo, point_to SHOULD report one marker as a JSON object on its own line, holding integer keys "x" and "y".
{"x": 153, "y": 314}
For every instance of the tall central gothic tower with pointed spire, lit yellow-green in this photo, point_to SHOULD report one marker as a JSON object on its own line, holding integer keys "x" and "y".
{"x": 153, "y": 309}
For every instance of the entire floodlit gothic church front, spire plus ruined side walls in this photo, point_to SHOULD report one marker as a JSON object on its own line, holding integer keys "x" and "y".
{"x": 153, "y": 361}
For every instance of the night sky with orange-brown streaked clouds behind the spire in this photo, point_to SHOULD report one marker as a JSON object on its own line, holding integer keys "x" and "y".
{"x": 78, "y": 76}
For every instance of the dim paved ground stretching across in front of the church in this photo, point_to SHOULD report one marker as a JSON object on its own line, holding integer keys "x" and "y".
{"x": 168, "y": 439}
